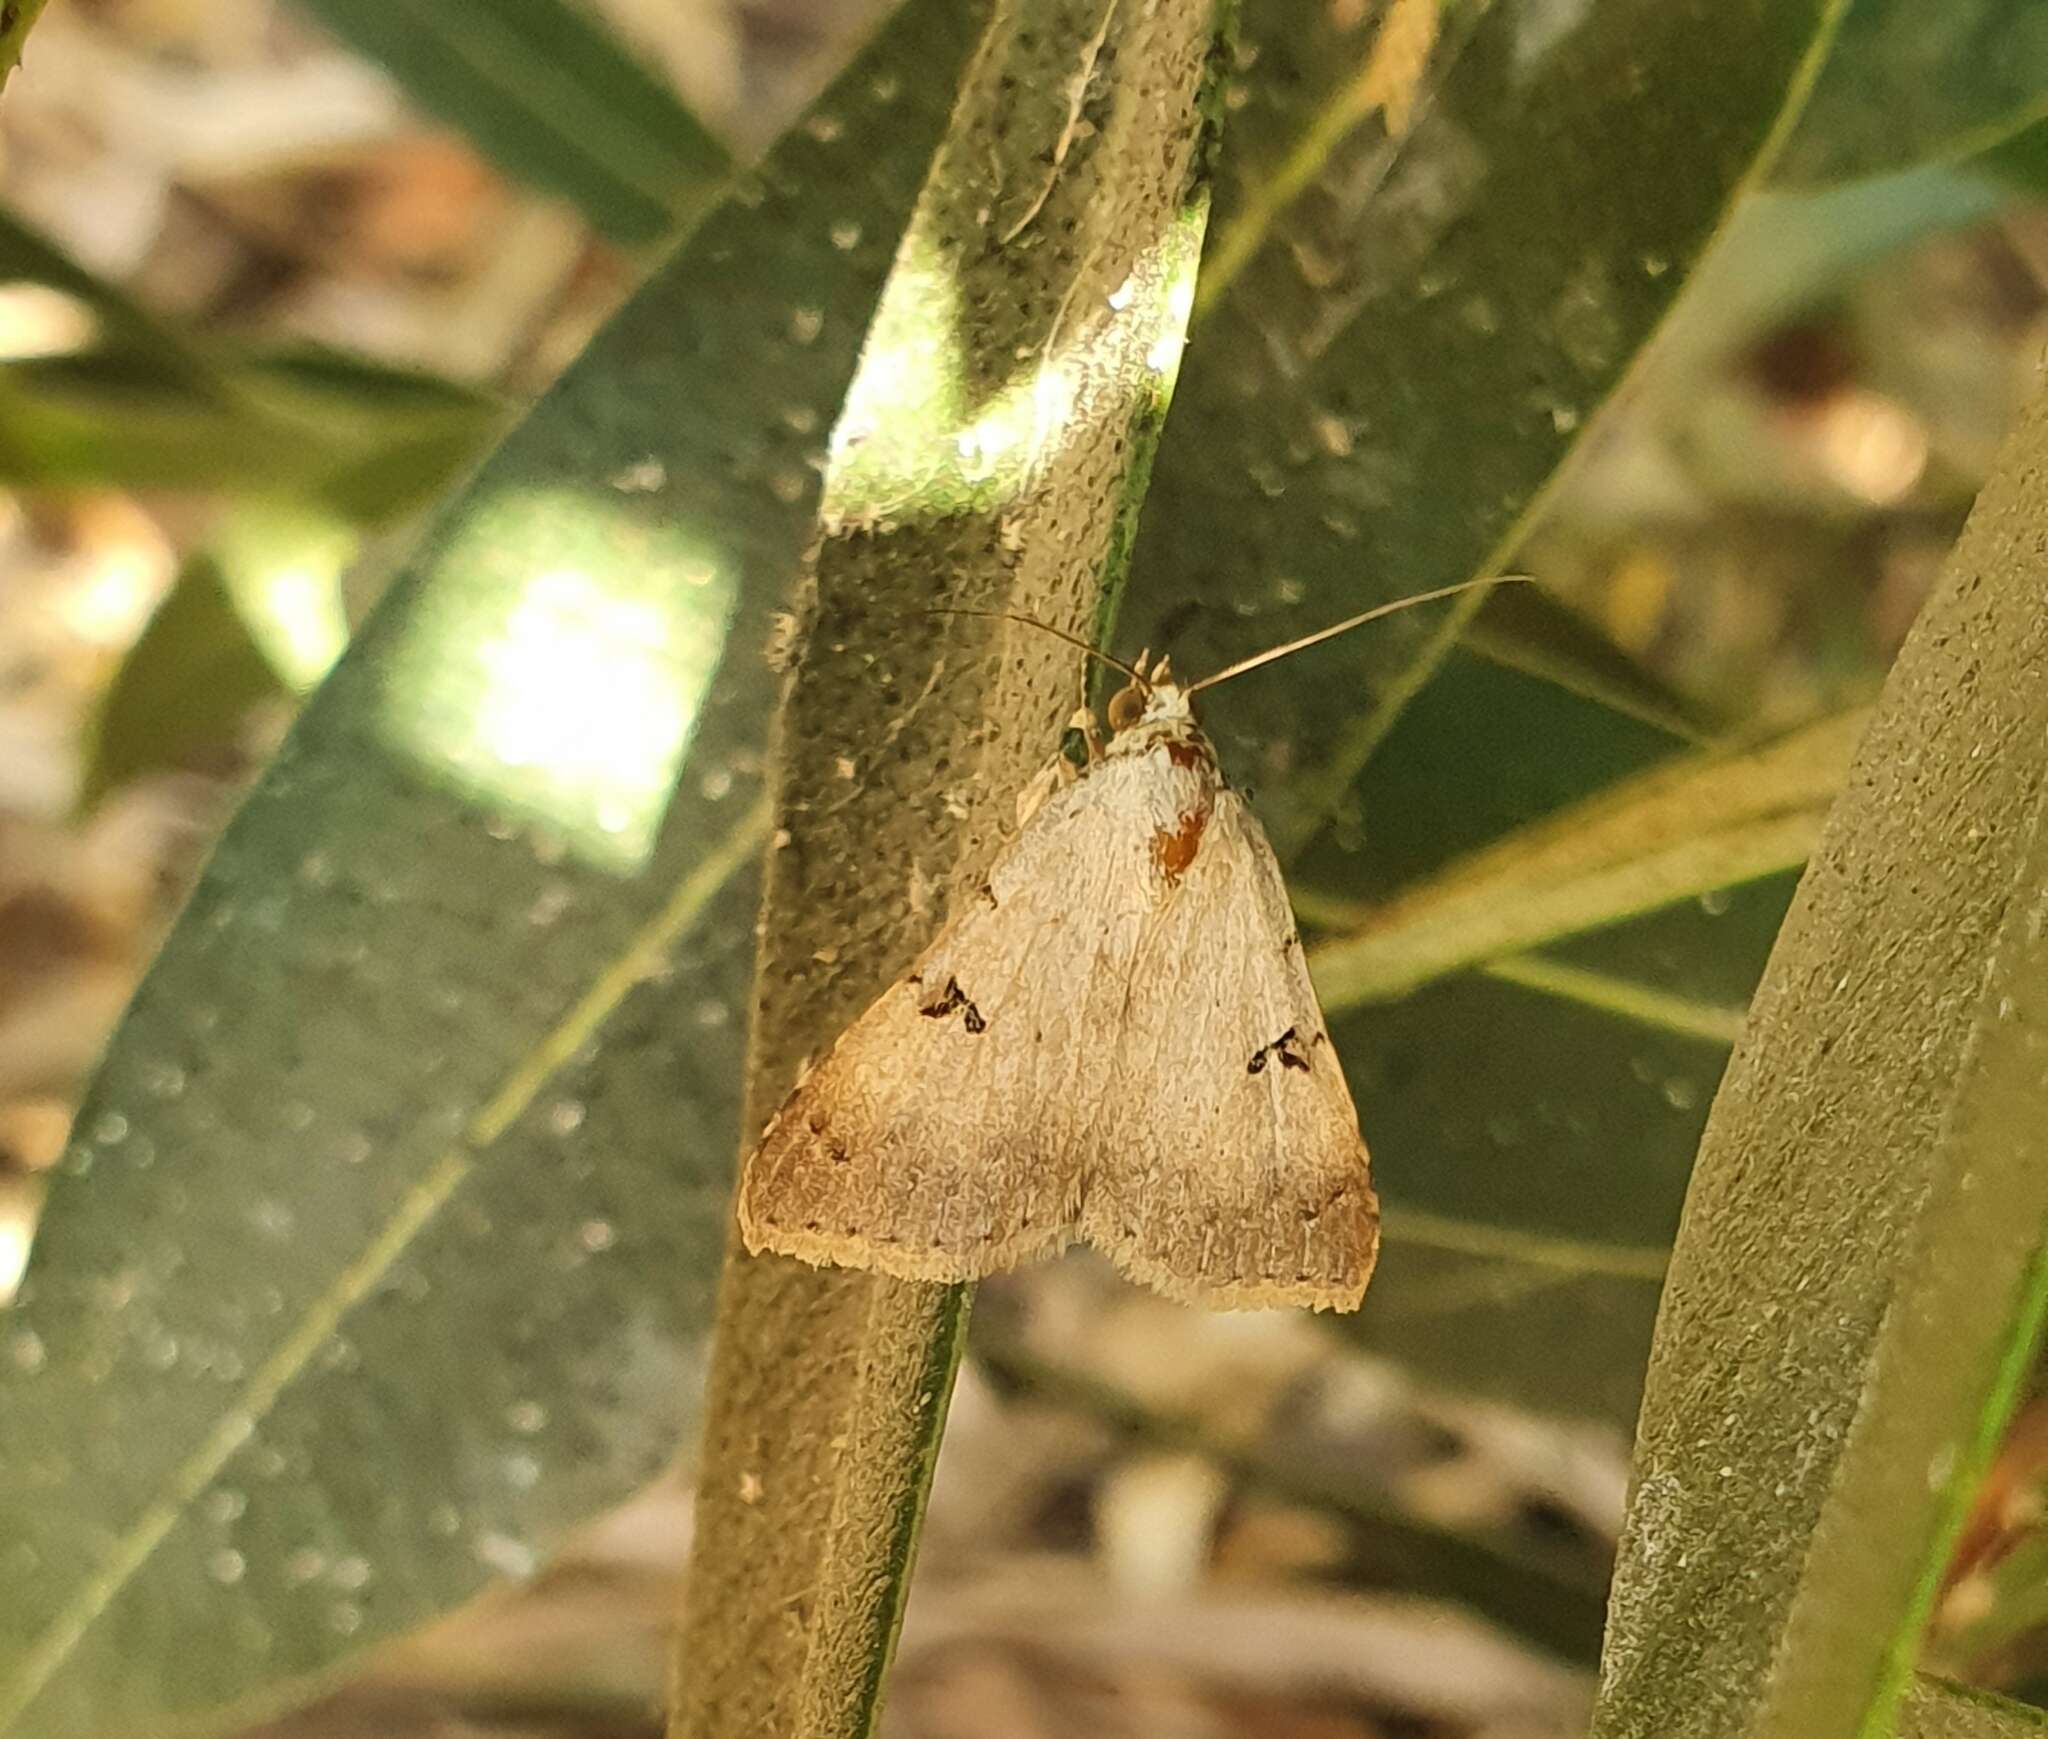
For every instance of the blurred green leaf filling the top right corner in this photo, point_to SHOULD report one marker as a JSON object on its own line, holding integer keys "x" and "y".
{"x": 1912, "y": 83}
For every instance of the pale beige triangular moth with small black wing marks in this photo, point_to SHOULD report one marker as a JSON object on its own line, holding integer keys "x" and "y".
{"x": 1113, "y": 1042}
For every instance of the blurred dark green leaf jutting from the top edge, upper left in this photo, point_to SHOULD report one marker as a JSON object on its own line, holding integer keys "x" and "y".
{"x": 552, "y": 99}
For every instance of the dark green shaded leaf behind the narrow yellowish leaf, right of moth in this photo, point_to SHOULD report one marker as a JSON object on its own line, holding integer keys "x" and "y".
{"x": 1533, "y": 1134}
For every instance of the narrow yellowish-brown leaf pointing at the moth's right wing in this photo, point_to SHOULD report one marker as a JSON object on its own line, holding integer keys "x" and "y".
{"x": 1701, "y": 824}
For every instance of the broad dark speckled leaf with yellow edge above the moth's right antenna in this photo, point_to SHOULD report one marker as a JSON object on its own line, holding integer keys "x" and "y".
{"x": 1437, "y": 251}
